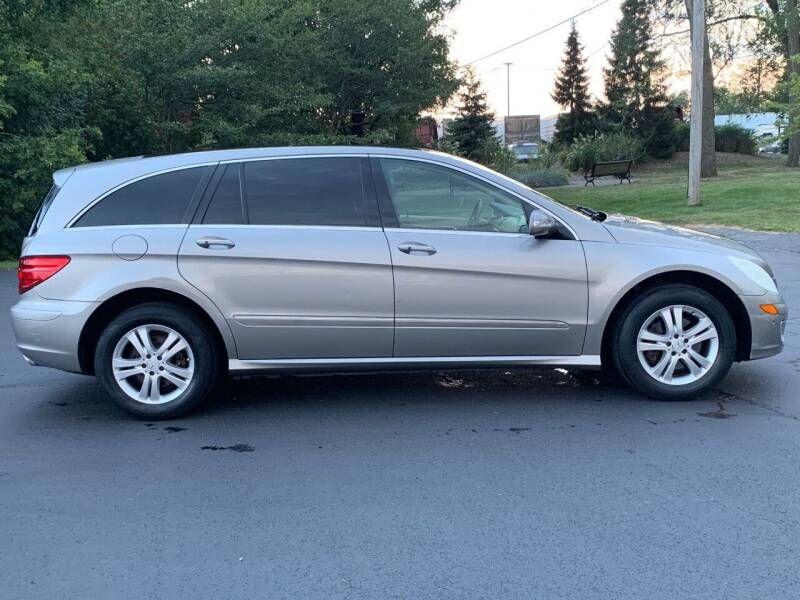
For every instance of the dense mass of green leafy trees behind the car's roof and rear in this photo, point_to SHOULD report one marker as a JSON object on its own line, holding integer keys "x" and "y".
{"x": 96, "y": 79}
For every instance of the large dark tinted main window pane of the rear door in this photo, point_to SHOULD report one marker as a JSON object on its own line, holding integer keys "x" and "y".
{"x": 305, "y": 191}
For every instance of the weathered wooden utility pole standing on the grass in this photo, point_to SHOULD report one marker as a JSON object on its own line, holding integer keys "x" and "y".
{"x": 698, "y": 18}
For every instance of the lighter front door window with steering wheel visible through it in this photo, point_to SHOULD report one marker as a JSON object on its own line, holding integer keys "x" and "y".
{"x": 426, "y": 196}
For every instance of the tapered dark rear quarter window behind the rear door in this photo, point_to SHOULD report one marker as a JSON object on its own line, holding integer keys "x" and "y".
{"x": 158, "y": 200}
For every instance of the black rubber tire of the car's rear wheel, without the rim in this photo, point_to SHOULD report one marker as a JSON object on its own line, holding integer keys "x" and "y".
{"x": 205, "y": 355}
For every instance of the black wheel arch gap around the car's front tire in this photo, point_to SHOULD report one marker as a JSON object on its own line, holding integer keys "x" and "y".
{"x": 703, "y": 281}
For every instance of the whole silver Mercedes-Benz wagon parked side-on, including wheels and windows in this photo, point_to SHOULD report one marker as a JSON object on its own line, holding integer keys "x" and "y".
{"x": 162, "y": 275}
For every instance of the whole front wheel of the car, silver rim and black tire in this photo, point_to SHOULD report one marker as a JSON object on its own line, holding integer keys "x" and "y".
{"x": 675, "y": 342}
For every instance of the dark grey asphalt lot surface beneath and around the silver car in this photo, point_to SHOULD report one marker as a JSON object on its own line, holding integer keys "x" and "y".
{"x": 523, "y": 484}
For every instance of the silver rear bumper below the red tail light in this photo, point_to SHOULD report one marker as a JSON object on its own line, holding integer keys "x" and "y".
{"x": 47, "y": 331}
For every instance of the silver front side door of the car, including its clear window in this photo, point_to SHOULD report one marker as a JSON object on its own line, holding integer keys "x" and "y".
{"x": 469, "y": 278}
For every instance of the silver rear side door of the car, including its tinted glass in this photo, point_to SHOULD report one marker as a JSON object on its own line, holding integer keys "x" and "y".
{"x": 291, "y": 252}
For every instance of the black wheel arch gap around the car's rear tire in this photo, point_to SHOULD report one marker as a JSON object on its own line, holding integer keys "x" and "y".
{"x": 114, "y": 305}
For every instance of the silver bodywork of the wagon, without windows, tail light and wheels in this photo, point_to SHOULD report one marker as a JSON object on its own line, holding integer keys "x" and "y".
{"x": 328, "y": 297}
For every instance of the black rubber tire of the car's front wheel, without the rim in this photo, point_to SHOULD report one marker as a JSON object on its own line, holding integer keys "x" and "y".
{"x": 624, "y": 341}
